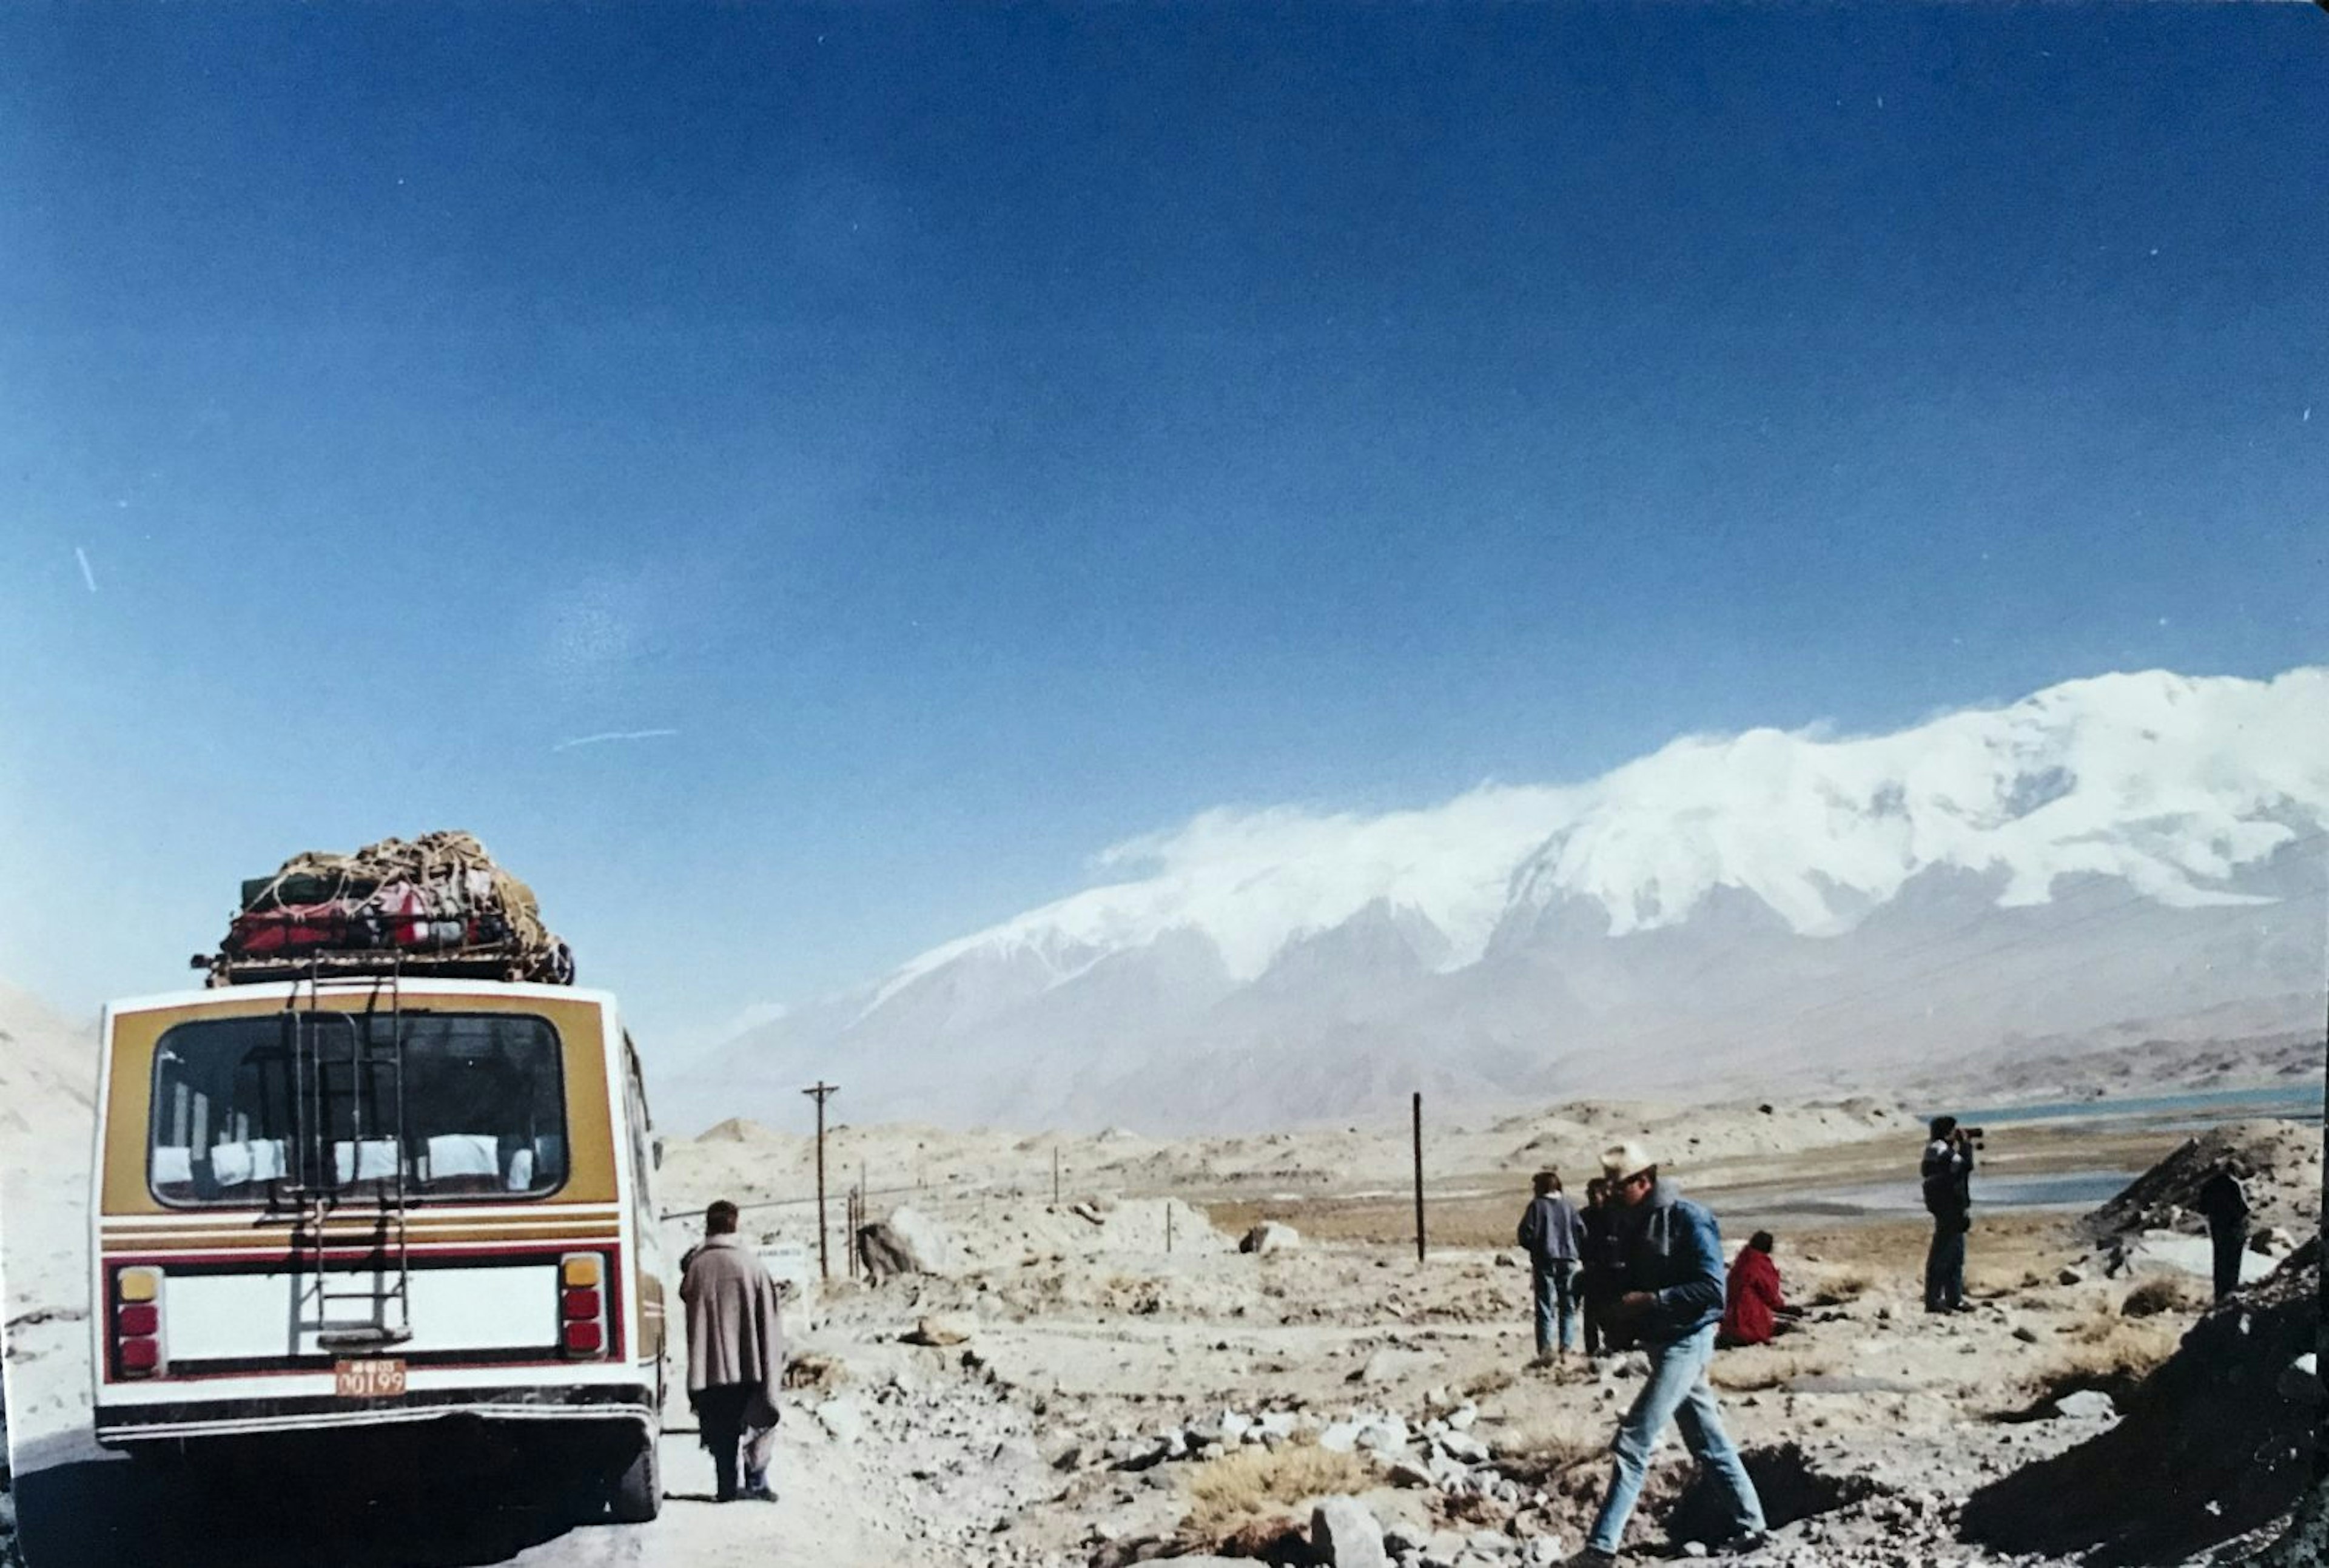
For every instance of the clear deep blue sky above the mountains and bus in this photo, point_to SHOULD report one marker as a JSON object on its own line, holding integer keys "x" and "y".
{"x": 989, "y": 435}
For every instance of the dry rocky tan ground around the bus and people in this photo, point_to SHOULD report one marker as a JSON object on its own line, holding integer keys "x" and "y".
{"x": 1107, "y": 1378}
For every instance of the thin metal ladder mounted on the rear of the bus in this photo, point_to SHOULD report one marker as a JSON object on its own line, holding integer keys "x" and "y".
{"x": 337, "y": 1085}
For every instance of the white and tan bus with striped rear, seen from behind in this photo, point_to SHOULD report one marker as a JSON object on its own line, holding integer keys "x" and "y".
{"x": 339, "y": 1208}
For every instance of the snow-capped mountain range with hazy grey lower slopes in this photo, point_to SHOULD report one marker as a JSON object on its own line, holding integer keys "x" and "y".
{"x": 2128, "y": 847}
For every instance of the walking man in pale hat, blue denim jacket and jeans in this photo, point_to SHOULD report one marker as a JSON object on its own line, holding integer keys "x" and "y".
{"x": 1673, "y": 1259}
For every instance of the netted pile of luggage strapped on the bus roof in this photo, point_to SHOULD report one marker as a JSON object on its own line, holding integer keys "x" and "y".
{"x": 437, "y": 905}
